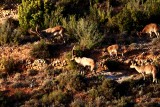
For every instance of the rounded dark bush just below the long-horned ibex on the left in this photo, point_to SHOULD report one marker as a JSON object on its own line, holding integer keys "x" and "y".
{"x": 40, "y": 50}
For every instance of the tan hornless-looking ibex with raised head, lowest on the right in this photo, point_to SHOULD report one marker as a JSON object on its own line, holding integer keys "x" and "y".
{"x": 146, "y": 69}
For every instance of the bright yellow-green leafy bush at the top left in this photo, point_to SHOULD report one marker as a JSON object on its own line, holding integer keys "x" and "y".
{"x": 33, "y": 12}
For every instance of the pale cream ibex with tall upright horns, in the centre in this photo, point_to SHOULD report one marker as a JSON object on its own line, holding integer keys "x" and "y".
{"x": 84, "y": 61}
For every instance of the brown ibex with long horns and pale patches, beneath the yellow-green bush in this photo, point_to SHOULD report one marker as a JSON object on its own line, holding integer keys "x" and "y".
{"x": 57, "y": 30}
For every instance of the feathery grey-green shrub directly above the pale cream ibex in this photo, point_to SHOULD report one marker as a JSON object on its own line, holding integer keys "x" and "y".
{"x": 88, "y": 34}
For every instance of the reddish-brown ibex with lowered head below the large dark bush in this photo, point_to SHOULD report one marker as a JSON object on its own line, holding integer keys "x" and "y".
{"x": 150, "y": 28}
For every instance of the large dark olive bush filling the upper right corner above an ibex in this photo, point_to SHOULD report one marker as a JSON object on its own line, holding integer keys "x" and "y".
{"x": 135, "y": 15}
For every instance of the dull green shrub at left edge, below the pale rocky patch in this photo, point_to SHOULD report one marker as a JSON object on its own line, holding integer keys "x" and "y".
{"x": 9, "y": 32}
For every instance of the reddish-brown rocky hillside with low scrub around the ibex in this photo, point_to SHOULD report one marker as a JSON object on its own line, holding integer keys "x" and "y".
{"x": 35, "y": 73}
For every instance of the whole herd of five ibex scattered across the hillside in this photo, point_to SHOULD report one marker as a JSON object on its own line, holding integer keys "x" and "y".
{"x": 112, "y": 50}
